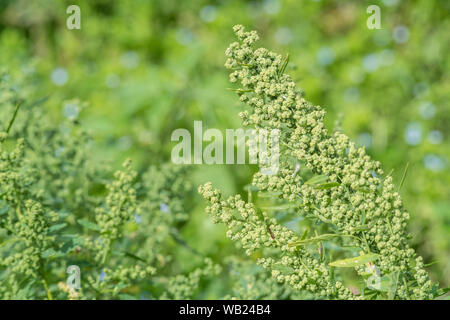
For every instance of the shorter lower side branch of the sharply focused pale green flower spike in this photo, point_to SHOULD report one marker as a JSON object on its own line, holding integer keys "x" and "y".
{"x": 257, "y": 232}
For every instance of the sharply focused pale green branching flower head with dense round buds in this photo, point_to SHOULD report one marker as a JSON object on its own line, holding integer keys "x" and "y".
{"x": 322, "y": 176}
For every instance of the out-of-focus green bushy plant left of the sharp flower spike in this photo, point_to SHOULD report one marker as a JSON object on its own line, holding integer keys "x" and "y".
{"x": 58, "y": 208}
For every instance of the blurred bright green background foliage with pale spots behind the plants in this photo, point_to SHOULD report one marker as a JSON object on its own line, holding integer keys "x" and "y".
{"x": 139, "y": 69}
